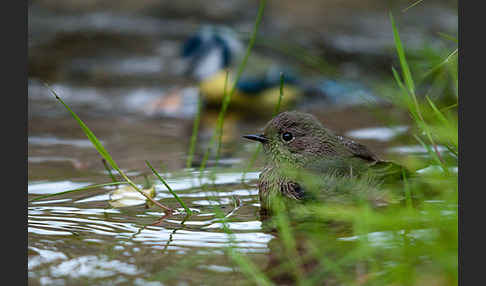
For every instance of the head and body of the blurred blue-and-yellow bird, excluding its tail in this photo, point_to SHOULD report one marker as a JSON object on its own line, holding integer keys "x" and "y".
{"x": 215, "y": 51}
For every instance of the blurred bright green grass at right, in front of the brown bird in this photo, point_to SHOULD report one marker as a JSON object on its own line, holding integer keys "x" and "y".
{"x": 413, "y": 241}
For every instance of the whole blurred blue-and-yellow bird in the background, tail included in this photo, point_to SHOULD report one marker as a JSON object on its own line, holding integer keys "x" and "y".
{"x": 213, "y": 50}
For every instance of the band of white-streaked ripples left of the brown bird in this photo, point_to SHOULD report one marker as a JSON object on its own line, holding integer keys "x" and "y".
{"x": 55, "y": 218}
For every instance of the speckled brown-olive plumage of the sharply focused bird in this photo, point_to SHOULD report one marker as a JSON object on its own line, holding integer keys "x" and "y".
{"x": 313, "y": 149}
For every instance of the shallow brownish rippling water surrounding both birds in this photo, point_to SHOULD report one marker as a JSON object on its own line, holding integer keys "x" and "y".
{"x": 120, "y": 73}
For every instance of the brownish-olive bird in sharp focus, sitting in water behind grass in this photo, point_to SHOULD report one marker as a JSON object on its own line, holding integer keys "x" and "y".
{"x": 307, "y": 161}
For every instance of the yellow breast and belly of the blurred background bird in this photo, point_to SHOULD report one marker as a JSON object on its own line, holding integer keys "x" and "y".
{"x": 212, "y": 90}
